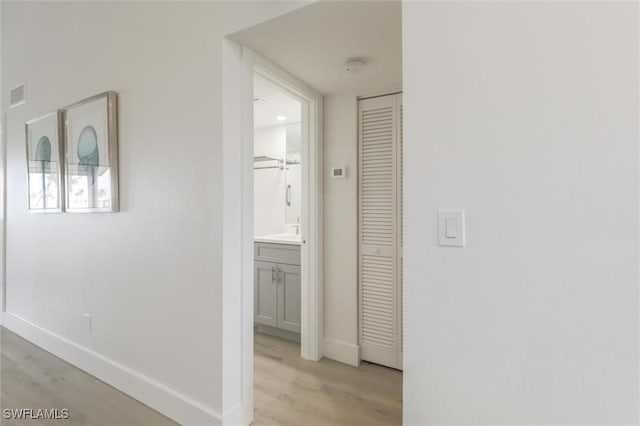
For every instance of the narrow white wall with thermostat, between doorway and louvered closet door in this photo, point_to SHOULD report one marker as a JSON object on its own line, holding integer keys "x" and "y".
{"x": 341, "y": 229}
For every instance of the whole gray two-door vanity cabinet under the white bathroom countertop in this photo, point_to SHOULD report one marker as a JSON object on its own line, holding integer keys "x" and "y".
{"x": 277, "y": 286}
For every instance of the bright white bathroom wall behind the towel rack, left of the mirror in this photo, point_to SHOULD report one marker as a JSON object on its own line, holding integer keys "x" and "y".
{"x": 269, "y": 184}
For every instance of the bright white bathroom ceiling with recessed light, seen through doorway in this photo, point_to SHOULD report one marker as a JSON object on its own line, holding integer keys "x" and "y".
{"x": 271, "y": 101}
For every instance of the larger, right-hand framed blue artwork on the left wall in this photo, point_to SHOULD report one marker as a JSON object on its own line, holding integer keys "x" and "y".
{"x": 91, "y": 154}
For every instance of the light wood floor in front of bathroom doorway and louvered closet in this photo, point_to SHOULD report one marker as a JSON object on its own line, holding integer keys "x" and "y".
{"x": 292, "y": 391}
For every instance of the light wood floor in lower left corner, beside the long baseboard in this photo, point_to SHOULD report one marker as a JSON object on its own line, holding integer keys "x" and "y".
{"x": 33, "y": 378}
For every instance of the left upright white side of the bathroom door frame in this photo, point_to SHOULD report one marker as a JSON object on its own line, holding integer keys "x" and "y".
{"x": 237, "y": 344}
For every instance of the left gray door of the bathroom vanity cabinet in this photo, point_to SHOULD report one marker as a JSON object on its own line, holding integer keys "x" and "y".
{"x": 265, "y": 293}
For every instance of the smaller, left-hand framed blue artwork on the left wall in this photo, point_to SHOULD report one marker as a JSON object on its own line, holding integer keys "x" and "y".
{"x": 44, "y": 163}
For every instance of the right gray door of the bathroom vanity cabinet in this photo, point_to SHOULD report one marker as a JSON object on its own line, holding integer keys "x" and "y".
{"x": 289, "y": 298}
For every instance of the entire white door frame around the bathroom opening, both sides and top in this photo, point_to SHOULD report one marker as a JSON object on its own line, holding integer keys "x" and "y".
{"x": 237, "y": 307}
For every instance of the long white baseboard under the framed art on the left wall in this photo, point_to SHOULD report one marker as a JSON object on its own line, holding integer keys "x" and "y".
{"x": 172, "y": 404}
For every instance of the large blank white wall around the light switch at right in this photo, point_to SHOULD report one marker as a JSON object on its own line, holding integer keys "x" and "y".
{"x": 525, "y": 115}
